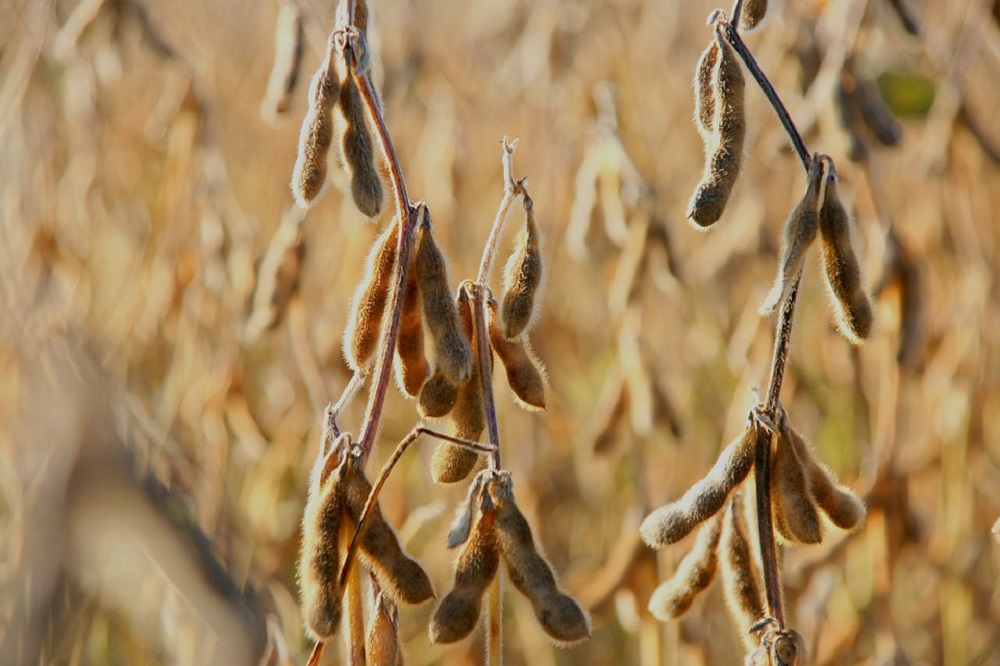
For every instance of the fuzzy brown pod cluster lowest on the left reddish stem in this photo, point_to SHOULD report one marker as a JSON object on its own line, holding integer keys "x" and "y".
{"x": 338, "y": 492}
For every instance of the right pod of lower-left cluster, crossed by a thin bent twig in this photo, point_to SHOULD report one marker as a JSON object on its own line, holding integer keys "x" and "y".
{"x": 400, "y": 576}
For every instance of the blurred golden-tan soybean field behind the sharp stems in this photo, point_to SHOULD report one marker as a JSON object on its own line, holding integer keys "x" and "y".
{"x": 154, "y": 448}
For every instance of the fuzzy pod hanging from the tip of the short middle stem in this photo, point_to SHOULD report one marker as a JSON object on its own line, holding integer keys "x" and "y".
{"x": 523, "y": 276}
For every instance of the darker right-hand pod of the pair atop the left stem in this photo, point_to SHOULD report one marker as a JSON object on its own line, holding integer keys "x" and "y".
{"x": 357, "y": 149}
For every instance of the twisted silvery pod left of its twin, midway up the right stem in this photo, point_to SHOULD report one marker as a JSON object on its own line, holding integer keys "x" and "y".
{"x": 801, "y": 228}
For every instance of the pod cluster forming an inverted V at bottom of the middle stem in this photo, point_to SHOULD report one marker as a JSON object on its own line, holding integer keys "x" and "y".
{"x": 491, "y": 527}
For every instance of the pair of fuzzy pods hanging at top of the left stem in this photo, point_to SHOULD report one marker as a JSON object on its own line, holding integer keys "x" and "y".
{"x": 337, "y": 108}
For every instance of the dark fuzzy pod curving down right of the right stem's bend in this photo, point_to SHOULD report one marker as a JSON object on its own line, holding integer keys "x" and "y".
{"x": 843, "y": 274}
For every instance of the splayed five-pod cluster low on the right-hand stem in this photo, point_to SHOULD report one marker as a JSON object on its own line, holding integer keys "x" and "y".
{"x": 805, "y": 496}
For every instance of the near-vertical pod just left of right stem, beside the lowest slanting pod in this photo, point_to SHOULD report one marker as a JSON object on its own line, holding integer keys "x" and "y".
{"x": 740, "y": 574}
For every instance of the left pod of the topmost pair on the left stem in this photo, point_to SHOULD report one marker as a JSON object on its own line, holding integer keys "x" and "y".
{"x": 316, "y": 136}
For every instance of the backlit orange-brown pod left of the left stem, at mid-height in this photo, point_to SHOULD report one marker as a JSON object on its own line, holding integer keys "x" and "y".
{"x": 364, "y": 323}
